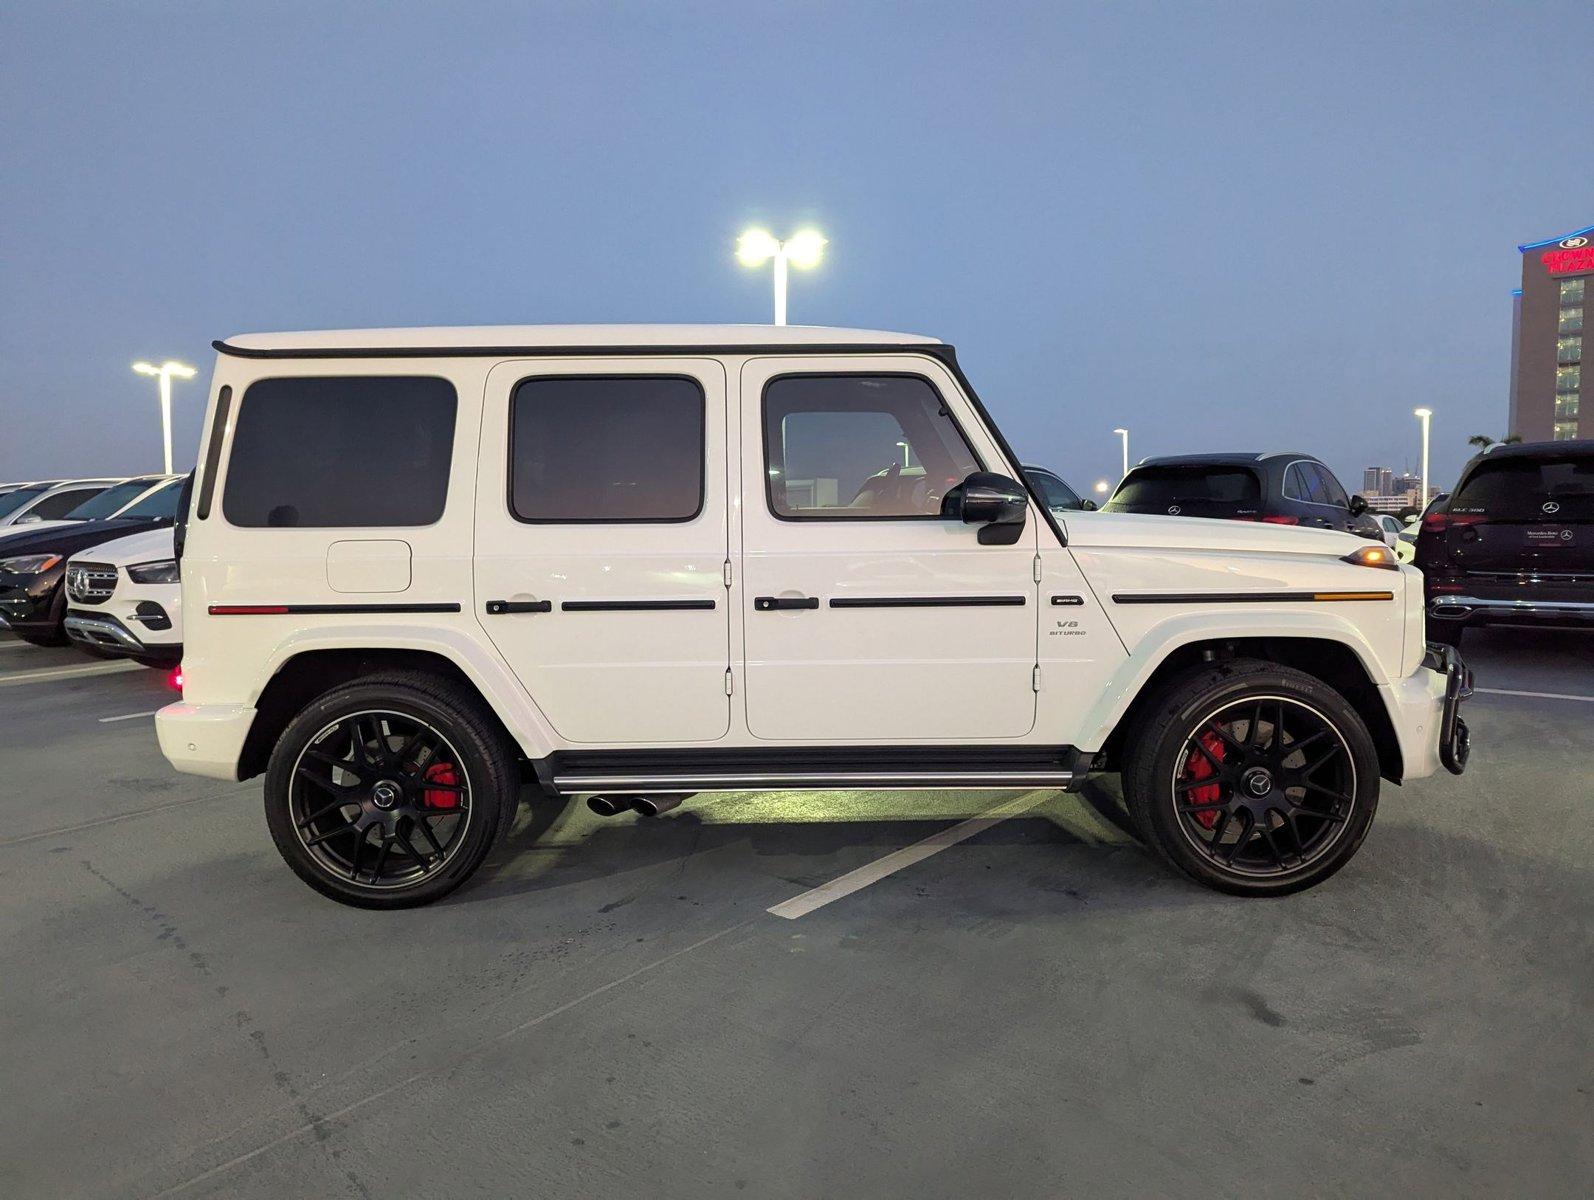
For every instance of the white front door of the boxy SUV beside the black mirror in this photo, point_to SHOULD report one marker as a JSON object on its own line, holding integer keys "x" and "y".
{"x": 870, "y": 618}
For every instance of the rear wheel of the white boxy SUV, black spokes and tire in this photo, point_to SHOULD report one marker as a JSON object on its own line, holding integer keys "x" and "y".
{"x": 404, "y": 702}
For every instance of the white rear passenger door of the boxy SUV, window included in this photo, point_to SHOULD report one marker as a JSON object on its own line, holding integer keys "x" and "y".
{"x": 602, "y": 544}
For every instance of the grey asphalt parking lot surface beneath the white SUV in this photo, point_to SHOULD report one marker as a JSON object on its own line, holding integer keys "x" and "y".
{"x": 611, "y": 1010}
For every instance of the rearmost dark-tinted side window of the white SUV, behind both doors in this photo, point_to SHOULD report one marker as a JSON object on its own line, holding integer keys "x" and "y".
{"x": 342, "y": 452}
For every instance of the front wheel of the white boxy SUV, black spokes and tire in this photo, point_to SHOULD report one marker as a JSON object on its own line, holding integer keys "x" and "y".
{"x": 1290, "y": 837}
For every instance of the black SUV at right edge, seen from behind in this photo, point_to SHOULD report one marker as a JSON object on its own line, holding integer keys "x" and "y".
{"x": 1515, "y": 546}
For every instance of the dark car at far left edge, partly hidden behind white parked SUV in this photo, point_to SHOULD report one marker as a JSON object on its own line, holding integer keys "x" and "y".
{"x": 33, "y": 600}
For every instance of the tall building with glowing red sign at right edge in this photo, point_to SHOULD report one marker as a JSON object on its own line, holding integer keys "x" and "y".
{"x": 1547, "y": 337}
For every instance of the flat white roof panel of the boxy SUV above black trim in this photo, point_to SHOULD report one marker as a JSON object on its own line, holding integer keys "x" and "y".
{"x": 490, "y": 337}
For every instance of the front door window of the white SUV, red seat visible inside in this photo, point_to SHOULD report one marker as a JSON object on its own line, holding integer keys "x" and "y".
{"x": 860, "y": 447}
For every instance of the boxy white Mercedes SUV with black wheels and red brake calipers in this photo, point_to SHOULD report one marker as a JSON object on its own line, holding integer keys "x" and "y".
{"x": 425, "y": 568}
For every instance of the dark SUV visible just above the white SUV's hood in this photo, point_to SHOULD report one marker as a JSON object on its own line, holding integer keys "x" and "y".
{"x": 1274, "y": 488}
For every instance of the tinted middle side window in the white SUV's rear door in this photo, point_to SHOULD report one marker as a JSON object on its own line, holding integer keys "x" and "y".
{"x": 607, "y": 449}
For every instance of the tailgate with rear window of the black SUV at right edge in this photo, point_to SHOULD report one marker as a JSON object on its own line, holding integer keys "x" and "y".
{"x": 1526, "y": 516}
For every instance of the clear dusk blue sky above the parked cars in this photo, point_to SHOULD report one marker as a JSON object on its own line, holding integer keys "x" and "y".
{"x": 1228, "y": 227}
